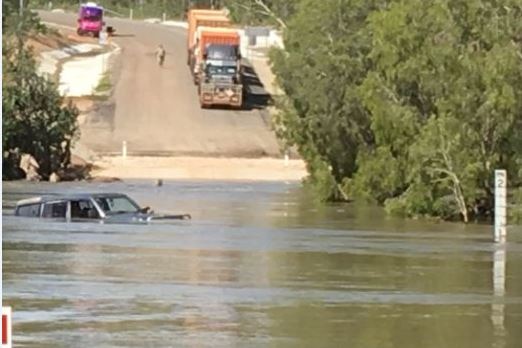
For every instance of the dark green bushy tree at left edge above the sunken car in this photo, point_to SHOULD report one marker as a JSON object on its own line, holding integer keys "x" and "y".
{"x": 35, "y": 120}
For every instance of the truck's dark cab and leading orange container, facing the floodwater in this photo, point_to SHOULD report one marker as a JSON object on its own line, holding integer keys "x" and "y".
{"x": 218, "y": 72}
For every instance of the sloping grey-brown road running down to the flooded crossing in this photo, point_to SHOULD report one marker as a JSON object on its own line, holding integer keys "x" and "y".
{"x": 156, "y": 110}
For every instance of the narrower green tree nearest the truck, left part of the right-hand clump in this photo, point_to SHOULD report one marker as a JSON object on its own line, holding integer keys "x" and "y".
{"x": 324, "y": 59}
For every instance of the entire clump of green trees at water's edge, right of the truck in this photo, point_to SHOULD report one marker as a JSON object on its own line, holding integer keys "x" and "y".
{"x": 410, "y": 104}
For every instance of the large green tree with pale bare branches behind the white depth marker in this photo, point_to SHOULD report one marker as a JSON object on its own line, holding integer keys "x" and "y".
{"x": 444, "y": 102}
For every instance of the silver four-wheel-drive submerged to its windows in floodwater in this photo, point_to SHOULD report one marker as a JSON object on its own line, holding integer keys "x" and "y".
{"x": 104, "y": 207}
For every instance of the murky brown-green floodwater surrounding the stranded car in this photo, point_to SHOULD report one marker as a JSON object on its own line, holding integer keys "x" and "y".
{"x": 259, "y": 264}
